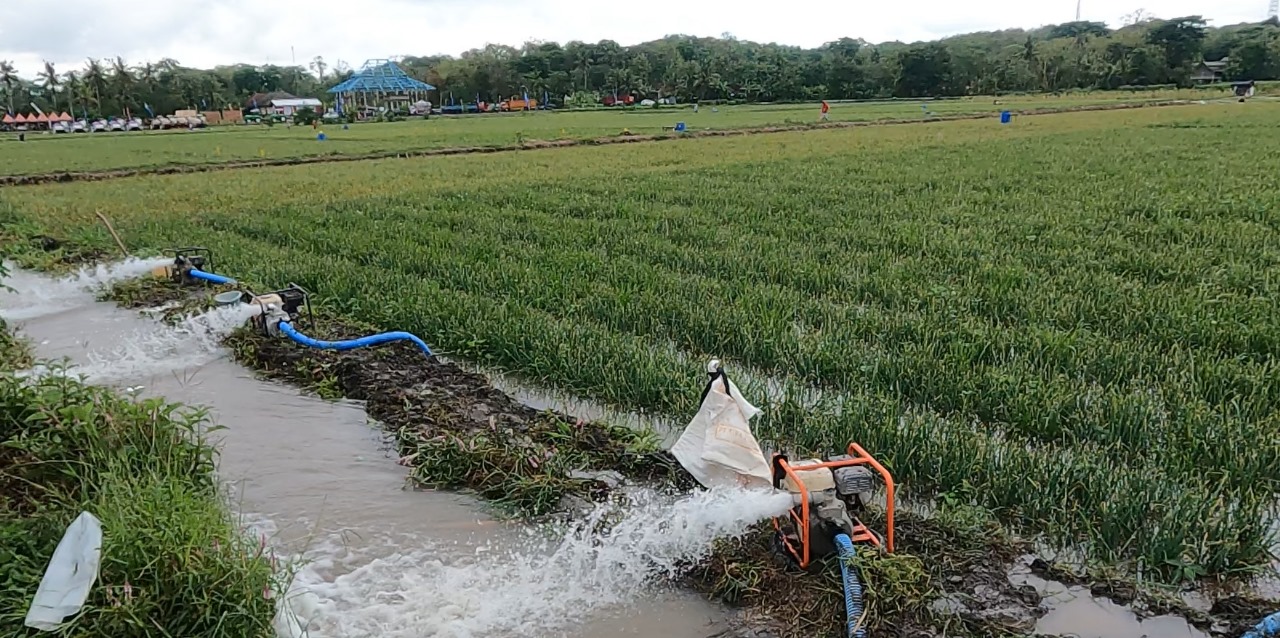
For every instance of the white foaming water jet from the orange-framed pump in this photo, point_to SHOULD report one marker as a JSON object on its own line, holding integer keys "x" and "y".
{"x": 537, "y": 587}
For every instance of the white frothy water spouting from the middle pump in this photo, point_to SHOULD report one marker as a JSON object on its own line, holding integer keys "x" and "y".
{"x": 158, "y": 349}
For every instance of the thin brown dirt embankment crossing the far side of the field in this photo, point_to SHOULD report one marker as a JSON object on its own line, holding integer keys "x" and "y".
{"x": 93, "y": 176}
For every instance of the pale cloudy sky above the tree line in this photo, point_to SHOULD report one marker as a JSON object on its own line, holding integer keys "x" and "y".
{"x": 209, "y": 33}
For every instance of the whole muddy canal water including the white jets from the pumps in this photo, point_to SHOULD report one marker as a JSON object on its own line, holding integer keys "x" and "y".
{"x": 380, "y": 559}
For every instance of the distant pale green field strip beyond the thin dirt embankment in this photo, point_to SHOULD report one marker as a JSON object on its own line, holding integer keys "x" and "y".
{"x": 75, "y": 153}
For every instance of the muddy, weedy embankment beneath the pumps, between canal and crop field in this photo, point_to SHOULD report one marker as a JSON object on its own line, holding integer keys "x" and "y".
{"x": 454, "y": 430}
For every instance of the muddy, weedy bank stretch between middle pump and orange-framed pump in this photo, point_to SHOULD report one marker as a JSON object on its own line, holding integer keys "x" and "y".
{"x": 455, "y": 431}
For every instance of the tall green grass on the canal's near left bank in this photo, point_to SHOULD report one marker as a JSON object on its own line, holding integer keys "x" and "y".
{"x": 173, "y": 563}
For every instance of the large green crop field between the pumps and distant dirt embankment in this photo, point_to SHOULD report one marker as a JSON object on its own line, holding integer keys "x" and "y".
{"x": 1071, "y": 321}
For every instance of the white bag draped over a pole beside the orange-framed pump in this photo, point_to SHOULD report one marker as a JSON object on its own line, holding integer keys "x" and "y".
{"x": 719, "y": 448}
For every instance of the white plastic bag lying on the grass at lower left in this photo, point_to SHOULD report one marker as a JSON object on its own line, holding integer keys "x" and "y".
{"x": 70, "y": 577}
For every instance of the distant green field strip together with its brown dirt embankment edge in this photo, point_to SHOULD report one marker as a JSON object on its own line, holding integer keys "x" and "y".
{"x": 61, "y": 159}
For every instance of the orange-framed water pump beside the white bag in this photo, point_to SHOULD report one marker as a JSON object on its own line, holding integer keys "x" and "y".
{"x": 830, "y": 498}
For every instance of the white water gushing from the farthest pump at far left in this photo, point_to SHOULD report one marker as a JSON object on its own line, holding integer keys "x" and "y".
{"x": 34, "y": 295}
